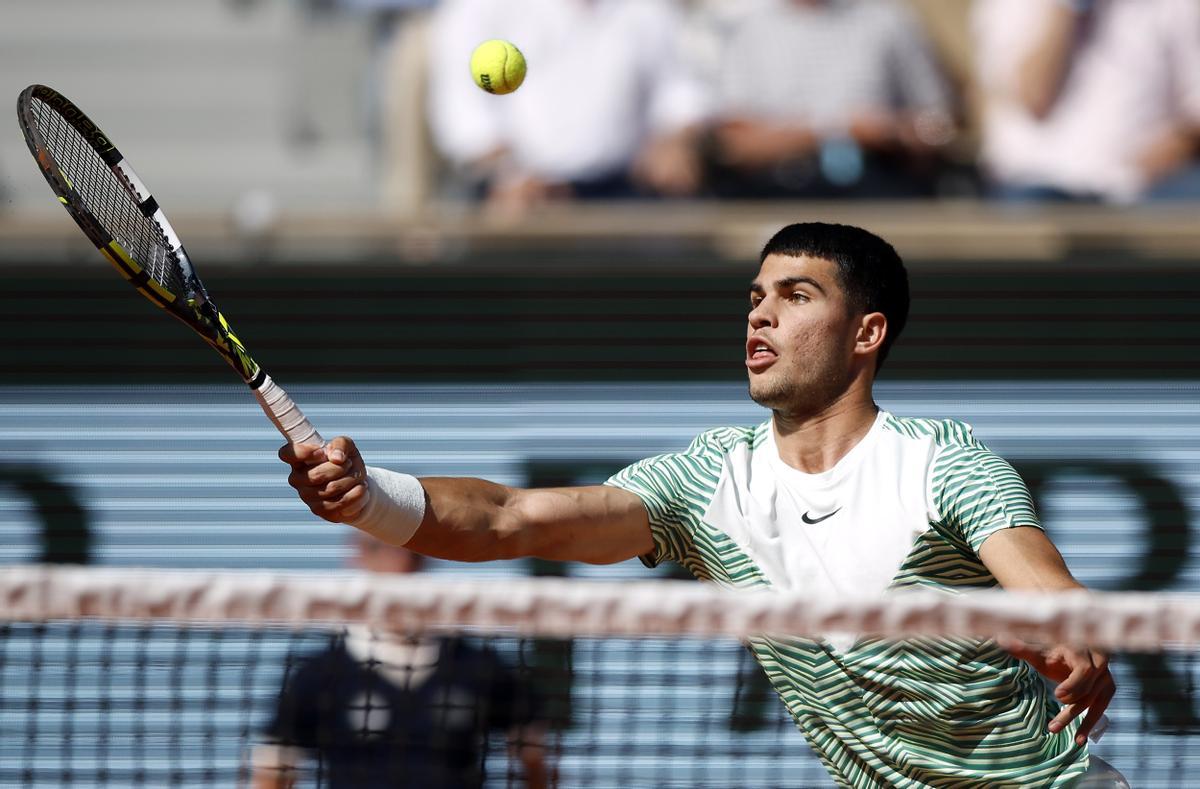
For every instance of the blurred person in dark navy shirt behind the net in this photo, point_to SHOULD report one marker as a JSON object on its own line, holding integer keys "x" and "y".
{"x": 376, "y": 710}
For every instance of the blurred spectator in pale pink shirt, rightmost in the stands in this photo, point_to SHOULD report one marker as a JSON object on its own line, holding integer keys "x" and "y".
{"x": 1091, "y": 100}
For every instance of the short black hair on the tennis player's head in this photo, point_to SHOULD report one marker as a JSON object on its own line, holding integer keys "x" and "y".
{"x": 869, "y": 269}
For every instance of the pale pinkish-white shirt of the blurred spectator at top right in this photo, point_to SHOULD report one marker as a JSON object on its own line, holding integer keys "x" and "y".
{"x": 1136, "y": 75}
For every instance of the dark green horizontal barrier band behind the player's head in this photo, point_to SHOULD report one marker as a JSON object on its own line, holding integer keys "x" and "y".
{"x": 586, "y": 322}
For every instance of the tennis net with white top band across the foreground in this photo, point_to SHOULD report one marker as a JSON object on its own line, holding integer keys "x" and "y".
{"x": 115, "y": 678}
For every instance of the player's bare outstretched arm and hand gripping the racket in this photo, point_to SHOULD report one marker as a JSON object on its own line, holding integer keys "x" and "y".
{"x": 469, "y": 520}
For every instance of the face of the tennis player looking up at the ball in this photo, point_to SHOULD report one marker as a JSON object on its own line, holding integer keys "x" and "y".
{"x": 801, "y": 335}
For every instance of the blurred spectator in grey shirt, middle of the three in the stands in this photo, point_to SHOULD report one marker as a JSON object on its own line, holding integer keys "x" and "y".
{"x": 829, "y": 99}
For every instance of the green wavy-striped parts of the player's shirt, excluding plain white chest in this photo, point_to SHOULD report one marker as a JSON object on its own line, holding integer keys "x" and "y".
{"x": 916, "y": 713}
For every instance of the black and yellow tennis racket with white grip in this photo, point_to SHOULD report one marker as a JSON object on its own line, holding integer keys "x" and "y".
{"x": 111, "y": 204}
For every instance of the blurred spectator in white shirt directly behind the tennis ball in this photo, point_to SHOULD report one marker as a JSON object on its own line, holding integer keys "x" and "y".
{"x": 609, "y": 109}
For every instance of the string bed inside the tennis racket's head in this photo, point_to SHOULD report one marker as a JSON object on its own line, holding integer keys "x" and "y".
{"x": 109, "y": 198}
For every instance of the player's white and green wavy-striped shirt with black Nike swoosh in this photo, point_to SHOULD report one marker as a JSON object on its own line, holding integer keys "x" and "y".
{"x": 909, "y": 507}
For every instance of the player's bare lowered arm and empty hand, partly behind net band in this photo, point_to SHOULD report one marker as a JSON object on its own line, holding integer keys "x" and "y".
{"x": 1025, "y": 559}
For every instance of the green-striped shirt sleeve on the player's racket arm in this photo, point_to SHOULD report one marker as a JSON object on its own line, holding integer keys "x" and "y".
{"x": 673, "y": 487}
